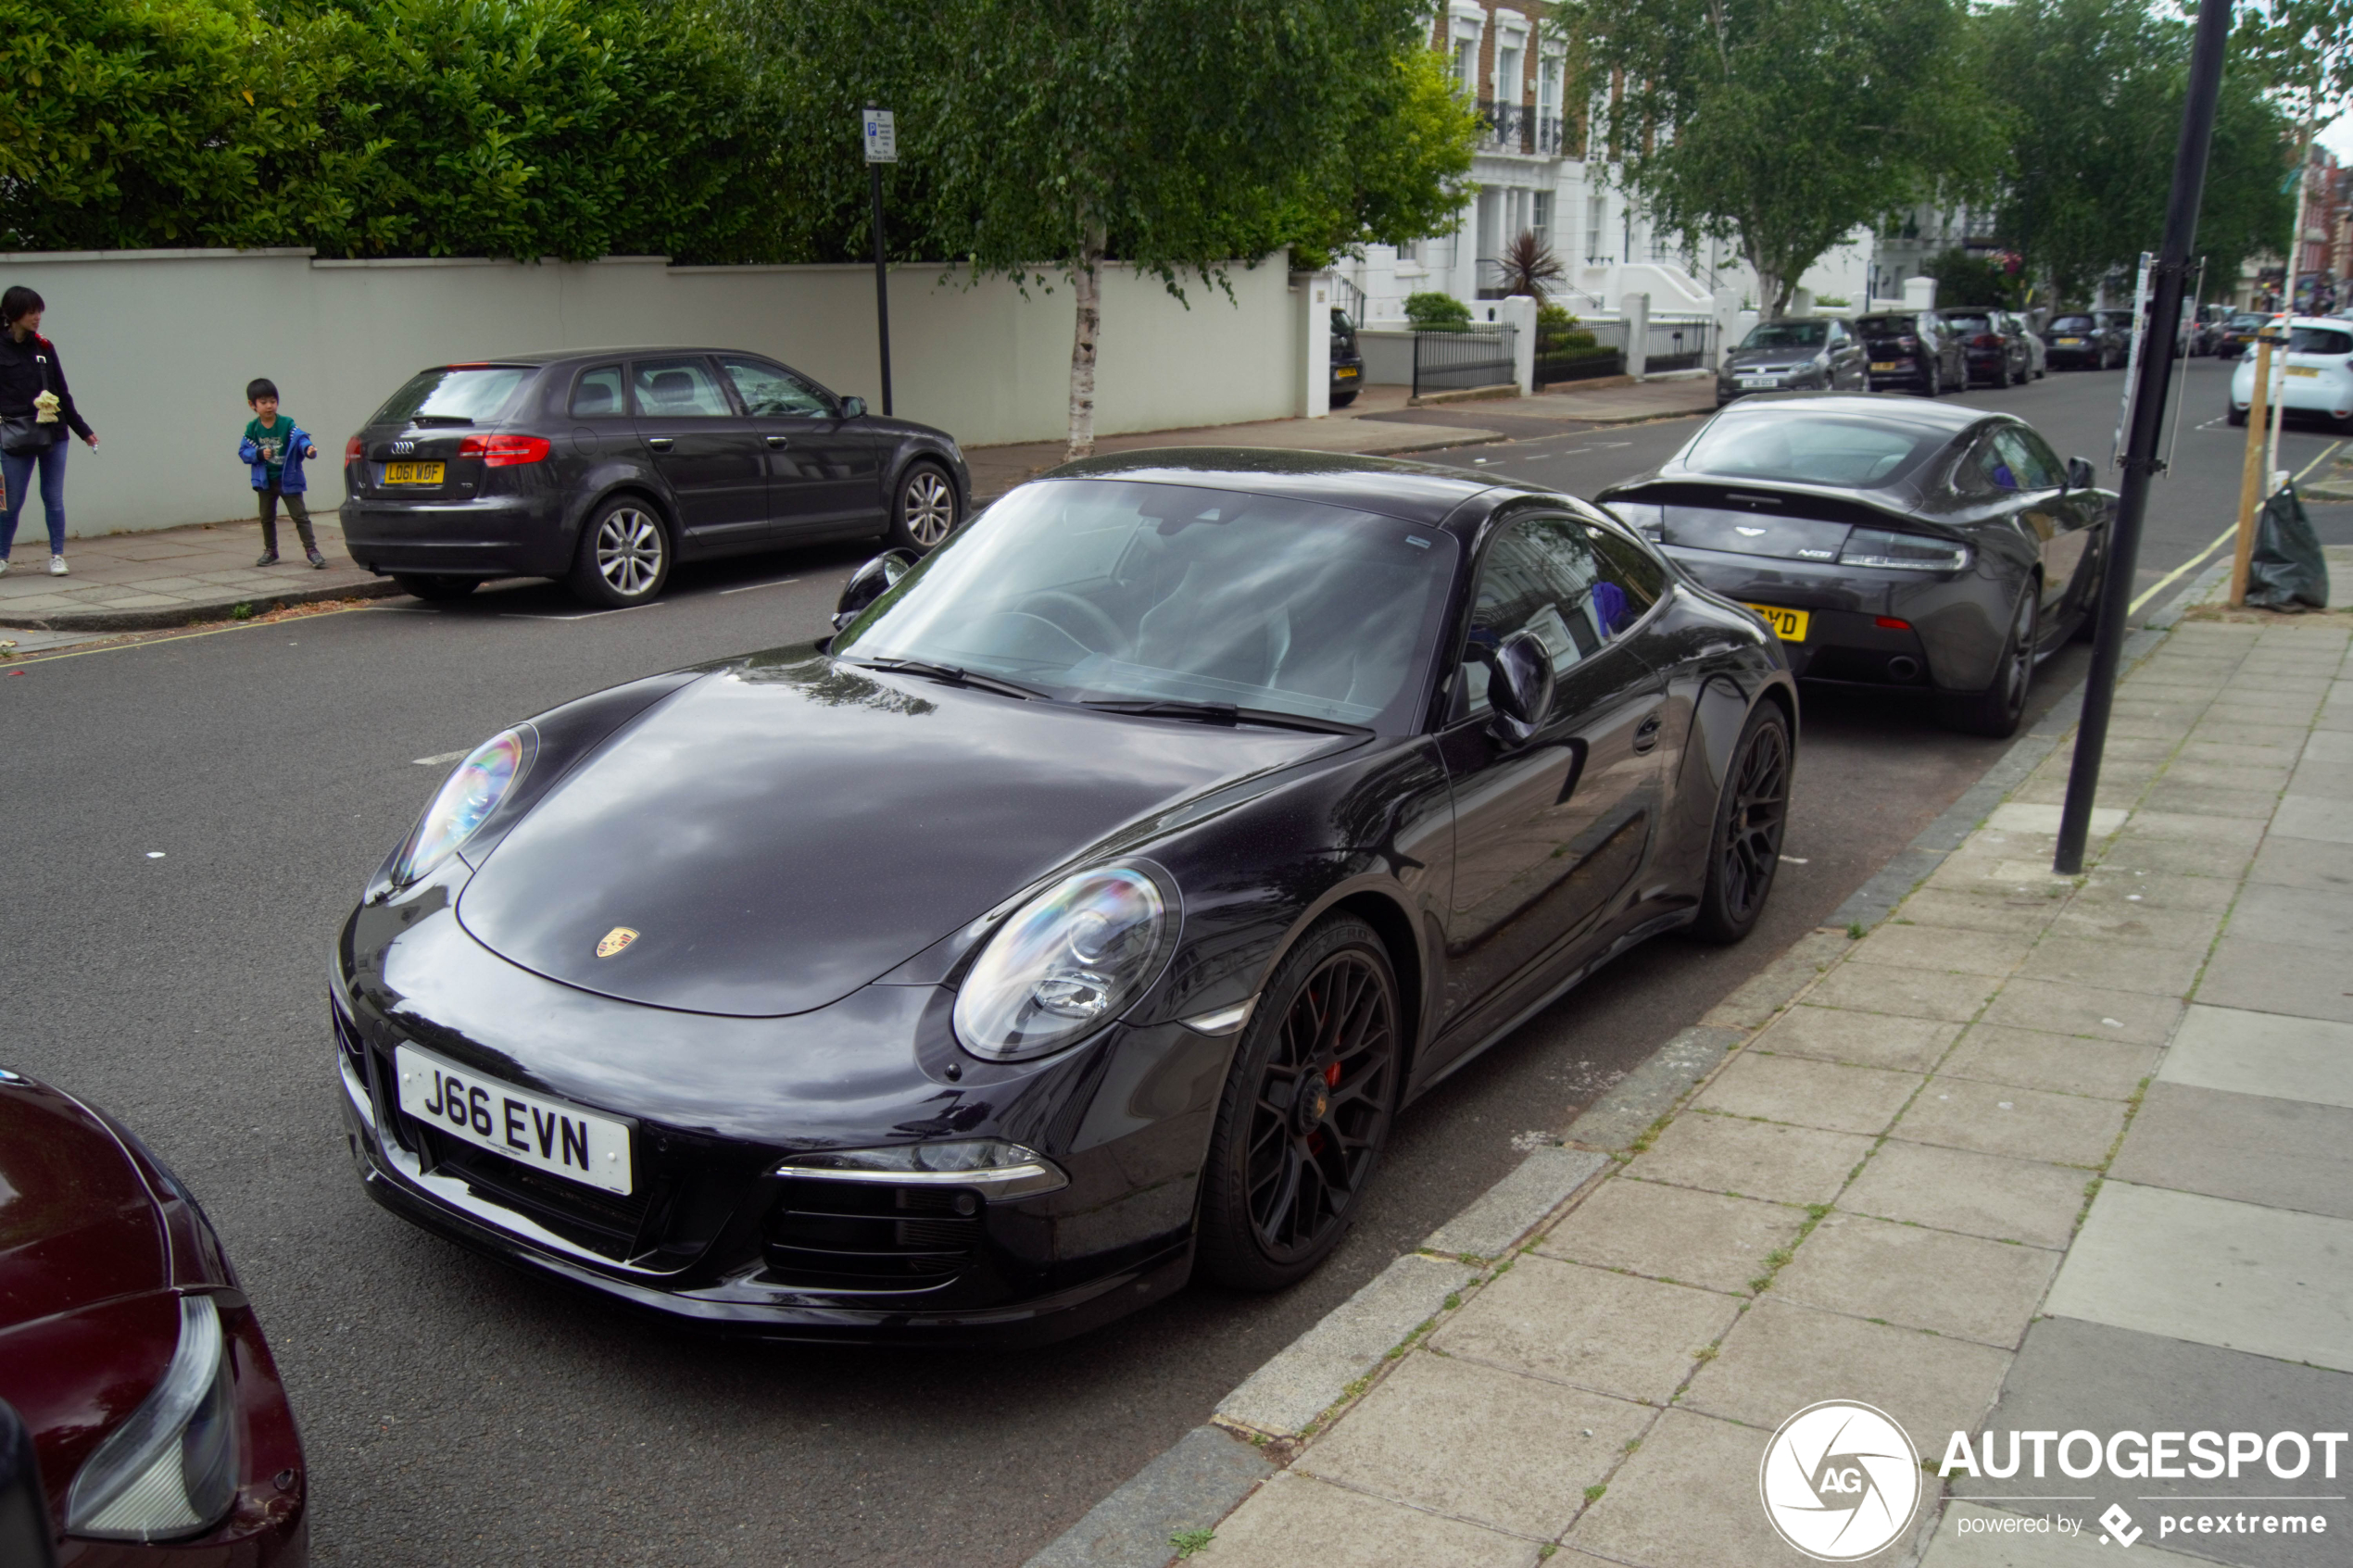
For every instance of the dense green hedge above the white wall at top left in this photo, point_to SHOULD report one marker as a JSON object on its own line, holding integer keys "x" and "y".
{"x": 420, "y": 128}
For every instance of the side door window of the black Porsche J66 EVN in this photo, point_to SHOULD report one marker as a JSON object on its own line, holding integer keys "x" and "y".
{"x": 1542, "y": 577}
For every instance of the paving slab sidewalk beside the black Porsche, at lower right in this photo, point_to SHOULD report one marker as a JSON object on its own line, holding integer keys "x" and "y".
{"x": 2034, "y": 1153}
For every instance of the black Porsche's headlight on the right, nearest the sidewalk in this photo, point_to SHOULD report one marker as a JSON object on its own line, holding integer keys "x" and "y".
{"x": 1065, "y": 965}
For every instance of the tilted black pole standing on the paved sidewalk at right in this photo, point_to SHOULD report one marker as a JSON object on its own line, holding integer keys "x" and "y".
{"x": 2147, "y": 431}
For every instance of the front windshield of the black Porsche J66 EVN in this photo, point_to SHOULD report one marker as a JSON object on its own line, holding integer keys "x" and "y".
{"x": 1124, "y": 591}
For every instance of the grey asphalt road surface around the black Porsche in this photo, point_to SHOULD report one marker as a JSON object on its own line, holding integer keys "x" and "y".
{"x": 458, "y": 1412}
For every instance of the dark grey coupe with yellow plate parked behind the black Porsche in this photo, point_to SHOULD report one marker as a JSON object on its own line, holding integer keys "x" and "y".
{"x": 1888, "y": 542}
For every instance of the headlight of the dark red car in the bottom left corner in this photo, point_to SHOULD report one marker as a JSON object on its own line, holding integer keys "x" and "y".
{"x": 173, "y": 1468}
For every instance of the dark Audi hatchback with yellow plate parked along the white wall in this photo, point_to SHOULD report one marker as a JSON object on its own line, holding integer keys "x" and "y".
{"x": 606, "y": 467}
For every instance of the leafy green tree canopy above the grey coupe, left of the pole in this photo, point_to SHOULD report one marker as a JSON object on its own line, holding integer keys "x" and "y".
{"x": 1785, "y": 126}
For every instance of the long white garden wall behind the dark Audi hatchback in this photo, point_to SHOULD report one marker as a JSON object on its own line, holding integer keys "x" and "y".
{"x": 161, "y": 344}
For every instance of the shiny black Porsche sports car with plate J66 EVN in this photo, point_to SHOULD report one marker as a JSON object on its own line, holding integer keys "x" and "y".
{"x": 1081, "y": 916}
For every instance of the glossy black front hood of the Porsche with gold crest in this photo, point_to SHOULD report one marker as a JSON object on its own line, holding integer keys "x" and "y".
{"x": 785, "y": 831}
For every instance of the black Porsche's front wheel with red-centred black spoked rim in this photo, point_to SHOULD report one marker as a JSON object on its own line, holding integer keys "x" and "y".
{"x": 1307, "y": 1111}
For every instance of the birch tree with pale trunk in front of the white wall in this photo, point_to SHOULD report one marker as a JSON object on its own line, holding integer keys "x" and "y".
{"x": 1159, "y": 133}
